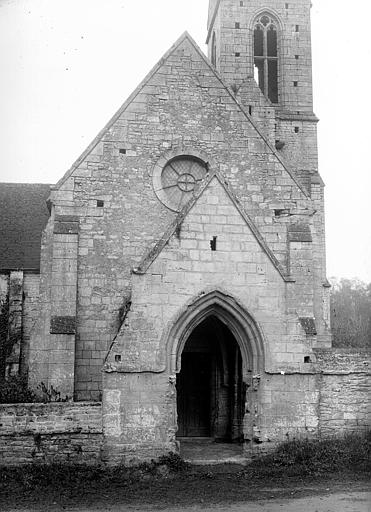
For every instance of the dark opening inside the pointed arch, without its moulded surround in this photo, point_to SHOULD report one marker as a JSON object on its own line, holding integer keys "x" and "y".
{"x": 211, "y": 393}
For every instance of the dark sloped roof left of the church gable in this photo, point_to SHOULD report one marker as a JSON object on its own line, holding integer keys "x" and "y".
{"x": 23, "y": 216}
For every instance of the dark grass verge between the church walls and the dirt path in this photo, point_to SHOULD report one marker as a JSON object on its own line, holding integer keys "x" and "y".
{"x": 170, "y": 480}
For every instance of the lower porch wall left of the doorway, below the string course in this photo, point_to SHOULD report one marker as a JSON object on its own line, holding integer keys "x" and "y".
{"x": 138, "y": 417}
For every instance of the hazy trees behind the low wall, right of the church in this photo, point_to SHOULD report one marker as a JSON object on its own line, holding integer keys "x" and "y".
{"x": 351, "y": 313}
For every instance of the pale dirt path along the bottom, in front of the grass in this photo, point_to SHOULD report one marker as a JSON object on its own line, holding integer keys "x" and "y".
{"x": 358, "y": 501}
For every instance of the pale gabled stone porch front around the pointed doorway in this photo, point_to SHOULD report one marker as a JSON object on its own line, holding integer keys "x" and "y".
{"x": 139, "y": 364}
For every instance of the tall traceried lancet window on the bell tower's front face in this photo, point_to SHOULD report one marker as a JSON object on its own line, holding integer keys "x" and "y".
{"x": 266, "y": 56}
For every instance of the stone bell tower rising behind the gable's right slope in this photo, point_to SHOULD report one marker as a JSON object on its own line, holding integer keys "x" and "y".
{"x": 263, "y": 52}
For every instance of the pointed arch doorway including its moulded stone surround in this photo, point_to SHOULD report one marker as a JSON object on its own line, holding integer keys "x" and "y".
{"x": 216, "y": 356}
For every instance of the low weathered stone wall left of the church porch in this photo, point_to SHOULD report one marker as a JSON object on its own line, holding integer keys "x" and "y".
{"x": 50, "y": 433}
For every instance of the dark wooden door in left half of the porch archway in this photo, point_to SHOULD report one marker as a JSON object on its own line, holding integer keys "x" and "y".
{"x": 194, "y": 395}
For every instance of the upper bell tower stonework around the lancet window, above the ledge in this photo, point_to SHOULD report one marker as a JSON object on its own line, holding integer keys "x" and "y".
{"x": 234, "y": 25}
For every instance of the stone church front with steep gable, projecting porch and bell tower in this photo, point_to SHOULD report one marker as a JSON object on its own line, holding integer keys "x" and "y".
{"x": 182, "y": 267}
